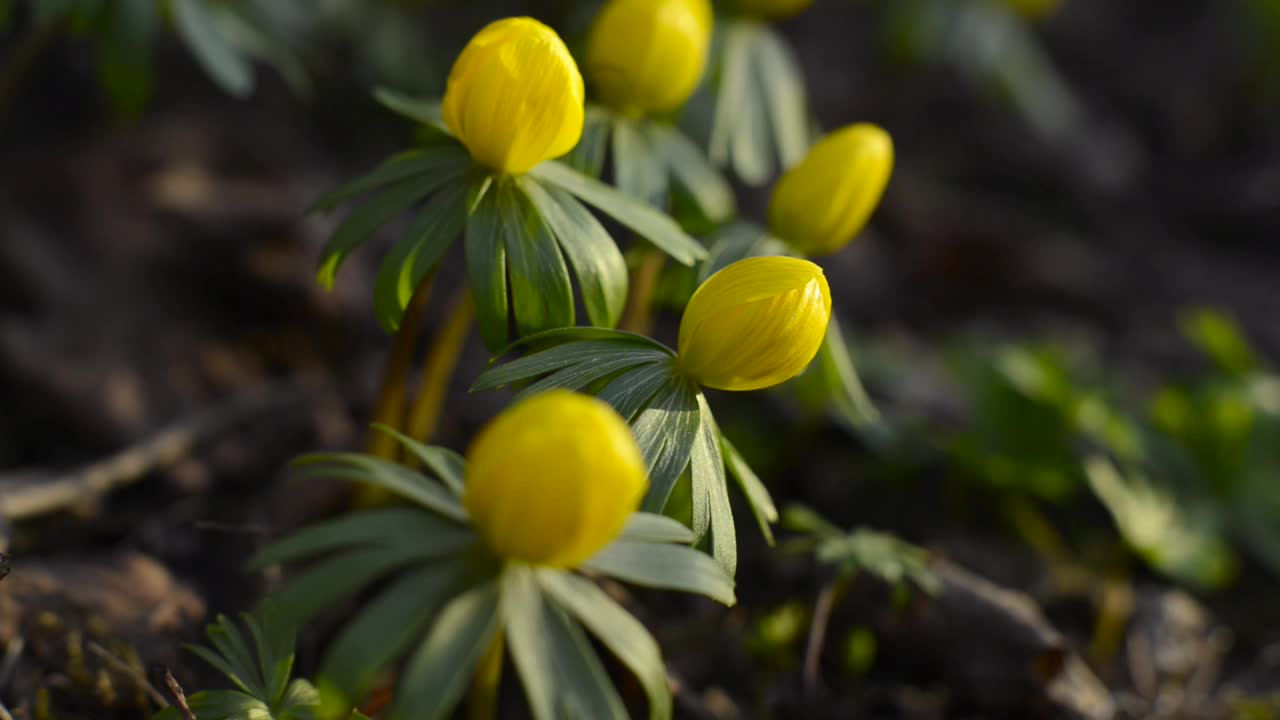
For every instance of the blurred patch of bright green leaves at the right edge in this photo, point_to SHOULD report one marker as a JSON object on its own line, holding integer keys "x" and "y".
{"x": 1187, "y": 479}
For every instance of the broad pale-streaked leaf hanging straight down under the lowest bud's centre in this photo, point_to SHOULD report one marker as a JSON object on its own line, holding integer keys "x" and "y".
{"x": 561, "y": 673}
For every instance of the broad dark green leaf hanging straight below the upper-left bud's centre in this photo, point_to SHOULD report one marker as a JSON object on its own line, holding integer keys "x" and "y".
{"x": 542, "y": 294}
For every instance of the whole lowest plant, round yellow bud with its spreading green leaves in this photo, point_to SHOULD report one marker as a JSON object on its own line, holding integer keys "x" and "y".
{"x": 484, "y": 559}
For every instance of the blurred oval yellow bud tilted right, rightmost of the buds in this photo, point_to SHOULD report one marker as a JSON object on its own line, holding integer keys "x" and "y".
{"x": 826, "y": 200}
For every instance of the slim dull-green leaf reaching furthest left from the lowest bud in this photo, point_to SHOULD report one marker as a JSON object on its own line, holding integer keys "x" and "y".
{"x": 385, "y": 527}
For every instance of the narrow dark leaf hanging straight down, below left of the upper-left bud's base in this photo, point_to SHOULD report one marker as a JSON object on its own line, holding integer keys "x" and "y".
{"x": 487, "y": 270}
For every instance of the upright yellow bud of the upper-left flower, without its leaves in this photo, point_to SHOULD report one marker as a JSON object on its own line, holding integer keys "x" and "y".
{"x": 515, "y": 97}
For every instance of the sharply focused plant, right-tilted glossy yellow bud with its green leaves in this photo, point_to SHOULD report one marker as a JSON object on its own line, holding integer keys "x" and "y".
{"x": 755, "y": 325}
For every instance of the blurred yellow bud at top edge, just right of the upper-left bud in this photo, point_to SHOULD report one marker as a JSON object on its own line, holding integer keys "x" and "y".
{"x": 647, "y": 57}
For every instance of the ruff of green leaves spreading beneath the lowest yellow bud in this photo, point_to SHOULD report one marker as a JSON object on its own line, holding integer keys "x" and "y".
{"x": 442, "y": 599}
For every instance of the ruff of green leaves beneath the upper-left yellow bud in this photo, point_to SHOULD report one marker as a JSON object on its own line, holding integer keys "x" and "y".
{"x": 522, "y": 234}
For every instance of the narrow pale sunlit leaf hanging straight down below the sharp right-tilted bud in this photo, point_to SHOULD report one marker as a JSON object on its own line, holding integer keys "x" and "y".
{"x": 710, "y": 484}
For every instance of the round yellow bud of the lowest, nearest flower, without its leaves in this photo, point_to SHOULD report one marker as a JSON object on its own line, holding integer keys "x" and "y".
{"x": 554, "y": 480}
